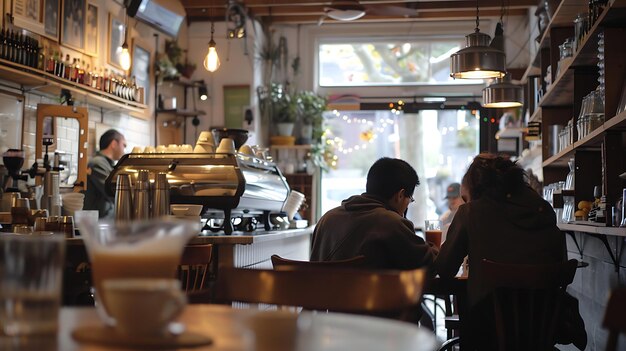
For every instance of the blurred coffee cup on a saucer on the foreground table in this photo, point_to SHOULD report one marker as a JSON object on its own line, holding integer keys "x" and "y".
{"x": 144, "y": 306}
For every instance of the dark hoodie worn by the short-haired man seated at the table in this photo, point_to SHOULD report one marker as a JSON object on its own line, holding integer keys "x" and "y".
{"x": 362, "y": 225}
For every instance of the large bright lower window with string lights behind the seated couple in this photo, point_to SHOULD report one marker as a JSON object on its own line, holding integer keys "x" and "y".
{"x": 439, "y": 144}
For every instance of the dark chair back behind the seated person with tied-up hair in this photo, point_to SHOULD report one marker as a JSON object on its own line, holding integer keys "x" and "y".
{"x": 526, "y": 302}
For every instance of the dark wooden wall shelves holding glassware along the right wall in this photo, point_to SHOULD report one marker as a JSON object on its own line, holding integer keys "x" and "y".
{"x": 593, "y": 118}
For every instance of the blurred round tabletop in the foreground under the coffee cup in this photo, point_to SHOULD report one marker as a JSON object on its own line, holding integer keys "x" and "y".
{"x": 251, "y": 329}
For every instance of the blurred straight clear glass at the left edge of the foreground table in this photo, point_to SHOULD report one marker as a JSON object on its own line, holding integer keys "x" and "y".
{"x": 31, "y": 267}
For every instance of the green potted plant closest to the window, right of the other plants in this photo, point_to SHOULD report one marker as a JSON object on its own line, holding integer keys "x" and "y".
{"x": 311, "y": 106}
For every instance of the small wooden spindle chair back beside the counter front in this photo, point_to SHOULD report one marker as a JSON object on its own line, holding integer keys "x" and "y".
{"x": 194, "y": 268}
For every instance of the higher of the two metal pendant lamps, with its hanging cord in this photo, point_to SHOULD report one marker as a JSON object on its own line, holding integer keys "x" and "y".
{"x": 478, "y": 60}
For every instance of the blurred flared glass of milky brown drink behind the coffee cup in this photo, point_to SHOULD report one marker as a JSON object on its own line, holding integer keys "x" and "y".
{"x": 133, "y": 249}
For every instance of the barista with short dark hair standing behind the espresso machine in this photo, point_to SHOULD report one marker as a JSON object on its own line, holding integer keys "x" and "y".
{"x": 112, "y": 145}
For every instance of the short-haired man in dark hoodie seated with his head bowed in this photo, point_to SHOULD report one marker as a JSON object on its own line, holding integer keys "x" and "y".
{"x": 373, "y": 224}
